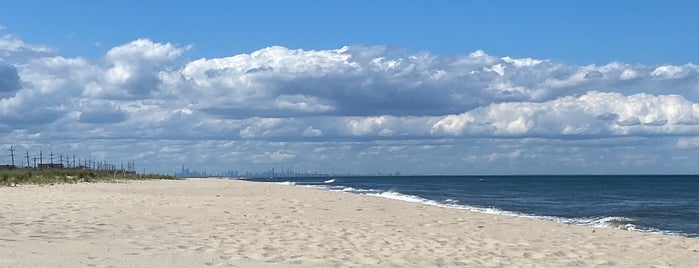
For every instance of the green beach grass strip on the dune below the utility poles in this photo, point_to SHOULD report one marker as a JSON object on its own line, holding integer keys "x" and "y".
{"x": 13, "y": 177}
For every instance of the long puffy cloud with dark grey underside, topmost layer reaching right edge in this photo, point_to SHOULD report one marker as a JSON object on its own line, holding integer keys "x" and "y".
{"x": 376, "y": 81}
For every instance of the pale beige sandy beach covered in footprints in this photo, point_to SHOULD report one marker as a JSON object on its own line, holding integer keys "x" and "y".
{"x": 212, "y": 223}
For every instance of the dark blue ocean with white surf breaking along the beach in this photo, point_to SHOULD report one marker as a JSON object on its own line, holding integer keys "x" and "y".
{"x": 648, "y": 203}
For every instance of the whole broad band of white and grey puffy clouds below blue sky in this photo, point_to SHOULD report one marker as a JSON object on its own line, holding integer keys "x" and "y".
{"x": 356, "y": 92}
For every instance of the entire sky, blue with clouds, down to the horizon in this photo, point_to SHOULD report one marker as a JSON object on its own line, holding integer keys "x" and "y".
{"x": 362, "y": 87}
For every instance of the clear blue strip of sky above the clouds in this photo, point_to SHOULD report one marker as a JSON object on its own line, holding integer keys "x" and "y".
{"x": 579, "y": 32}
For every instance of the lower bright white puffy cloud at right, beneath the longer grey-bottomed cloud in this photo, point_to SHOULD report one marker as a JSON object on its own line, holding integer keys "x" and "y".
{"x": 587, "y": 115}
